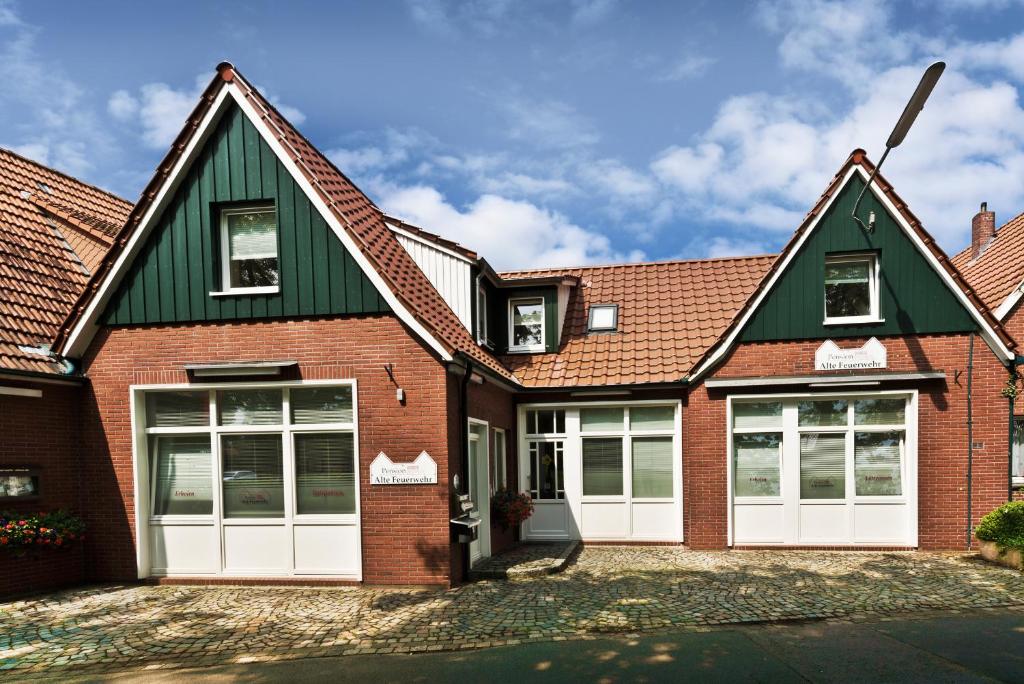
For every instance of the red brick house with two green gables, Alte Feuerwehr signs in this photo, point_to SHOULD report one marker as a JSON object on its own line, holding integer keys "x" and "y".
{"x": 279, "y": 381}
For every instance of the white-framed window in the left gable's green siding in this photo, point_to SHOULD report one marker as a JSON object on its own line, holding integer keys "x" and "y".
{"x": 249, "y": 250}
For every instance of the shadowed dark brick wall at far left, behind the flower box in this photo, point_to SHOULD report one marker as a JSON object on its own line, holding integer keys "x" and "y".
{"x": 41, "y": 434}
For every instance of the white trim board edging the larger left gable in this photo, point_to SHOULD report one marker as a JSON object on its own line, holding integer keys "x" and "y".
{"x": 87, "y": 327}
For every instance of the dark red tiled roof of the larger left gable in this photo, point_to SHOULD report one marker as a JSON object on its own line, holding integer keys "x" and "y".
{"x": 363, "y": 222}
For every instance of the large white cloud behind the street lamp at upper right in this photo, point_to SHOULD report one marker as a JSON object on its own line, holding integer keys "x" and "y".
{"x": 767, "y": 157}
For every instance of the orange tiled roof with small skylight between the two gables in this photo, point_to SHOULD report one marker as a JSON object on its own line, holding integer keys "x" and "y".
{"x": 669, "y": 315}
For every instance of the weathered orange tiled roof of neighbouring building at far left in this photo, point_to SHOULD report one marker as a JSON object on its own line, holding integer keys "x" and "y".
{"x": 54, "y": 232}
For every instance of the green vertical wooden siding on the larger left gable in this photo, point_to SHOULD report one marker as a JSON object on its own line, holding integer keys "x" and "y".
{"x": 179, "y": 267}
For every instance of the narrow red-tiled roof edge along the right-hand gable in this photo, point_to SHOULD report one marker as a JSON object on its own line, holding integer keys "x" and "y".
{"x": 992, "y": 329}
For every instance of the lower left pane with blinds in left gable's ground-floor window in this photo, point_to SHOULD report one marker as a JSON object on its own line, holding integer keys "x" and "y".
{"x": 183, "y": 474}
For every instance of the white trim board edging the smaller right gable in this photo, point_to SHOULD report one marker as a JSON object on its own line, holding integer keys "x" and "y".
{"x": 988, "y": 333}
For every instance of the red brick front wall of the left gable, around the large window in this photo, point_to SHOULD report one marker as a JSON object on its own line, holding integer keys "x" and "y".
{"x": 405, "y": 529}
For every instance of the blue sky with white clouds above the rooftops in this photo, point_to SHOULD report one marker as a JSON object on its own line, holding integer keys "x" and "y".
{"x": 551, "y": 133}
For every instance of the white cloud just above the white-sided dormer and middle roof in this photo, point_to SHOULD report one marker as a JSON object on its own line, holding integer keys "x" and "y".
{"x": 511, "y": 234}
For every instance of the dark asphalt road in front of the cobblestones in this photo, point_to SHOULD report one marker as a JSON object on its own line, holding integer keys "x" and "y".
{"x": 982, "y": 647}
